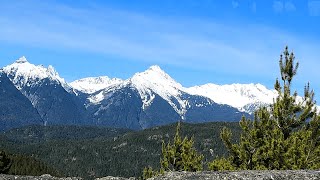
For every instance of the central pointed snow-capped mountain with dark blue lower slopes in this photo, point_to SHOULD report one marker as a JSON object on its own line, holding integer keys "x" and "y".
{"x": 153, "y": 98}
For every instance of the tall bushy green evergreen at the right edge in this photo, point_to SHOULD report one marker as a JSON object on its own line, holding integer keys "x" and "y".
{"x": 284, "y": 135}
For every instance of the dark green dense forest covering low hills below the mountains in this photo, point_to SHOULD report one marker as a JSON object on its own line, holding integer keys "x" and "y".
{"x": 96, "y": 152}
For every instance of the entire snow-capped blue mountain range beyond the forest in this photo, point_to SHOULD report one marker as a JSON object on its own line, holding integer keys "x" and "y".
{"x": 147, "y": 99}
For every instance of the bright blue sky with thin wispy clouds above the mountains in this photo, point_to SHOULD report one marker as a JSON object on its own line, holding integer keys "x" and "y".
{"x": 195, "y": 41}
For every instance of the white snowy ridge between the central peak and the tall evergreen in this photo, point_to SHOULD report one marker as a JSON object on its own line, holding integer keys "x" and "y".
{"x": 245, "y": 97}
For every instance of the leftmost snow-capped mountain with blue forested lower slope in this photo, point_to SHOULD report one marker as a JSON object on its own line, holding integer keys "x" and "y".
{"x": 47, "y": 91}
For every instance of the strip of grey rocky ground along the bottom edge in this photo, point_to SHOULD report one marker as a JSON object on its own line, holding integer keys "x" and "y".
{"x": 206, "y": 175}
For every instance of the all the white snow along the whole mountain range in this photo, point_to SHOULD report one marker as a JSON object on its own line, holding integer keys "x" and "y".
{"x": 245, "y": 97}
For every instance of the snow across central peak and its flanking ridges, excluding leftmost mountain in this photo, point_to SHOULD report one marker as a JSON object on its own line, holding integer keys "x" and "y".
{"x": 244, "y": 97}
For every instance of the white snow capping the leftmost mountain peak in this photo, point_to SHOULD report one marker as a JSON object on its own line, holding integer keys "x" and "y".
{"x": 25, "y": 74}
